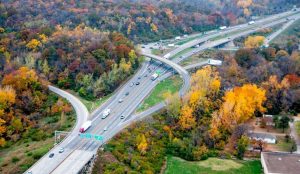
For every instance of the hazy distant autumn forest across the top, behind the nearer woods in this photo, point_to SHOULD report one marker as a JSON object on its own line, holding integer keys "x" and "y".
{"x": 139, "y": 20}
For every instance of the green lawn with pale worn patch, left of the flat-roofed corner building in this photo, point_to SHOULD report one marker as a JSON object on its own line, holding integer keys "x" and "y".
{"x": 212, "y": 166}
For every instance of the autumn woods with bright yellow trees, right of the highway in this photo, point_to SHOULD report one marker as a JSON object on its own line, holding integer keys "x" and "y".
{"x": 210, "y": 121}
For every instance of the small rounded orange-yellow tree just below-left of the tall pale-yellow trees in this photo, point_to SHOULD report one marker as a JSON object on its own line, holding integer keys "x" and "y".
{"x": 187, "y": 120}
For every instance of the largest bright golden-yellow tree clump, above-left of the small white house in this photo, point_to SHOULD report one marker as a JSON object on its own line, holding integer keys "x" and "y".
{"x": 239, "y": 106}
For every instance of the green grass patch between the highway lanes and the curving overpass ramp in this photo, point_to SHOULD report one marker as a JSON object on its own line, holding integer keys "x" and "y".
{"x": 171, "y": 85}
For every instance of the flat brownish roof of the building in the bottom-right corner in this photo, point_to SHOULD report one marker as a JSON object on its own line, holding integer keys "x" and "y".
{"x": 280, "y": 162}
